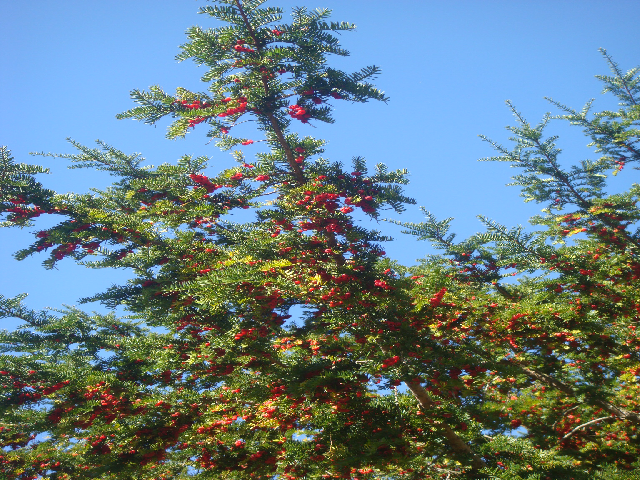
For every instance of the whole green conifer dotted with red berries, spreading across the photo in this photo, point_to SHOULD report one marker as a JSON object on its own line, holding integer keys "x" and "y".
{"x": 447, "y": 369}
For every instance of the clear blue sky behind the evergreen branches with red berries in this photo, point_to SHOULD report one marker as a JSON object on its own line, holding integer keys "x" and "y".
{"x": 447, "y": 66}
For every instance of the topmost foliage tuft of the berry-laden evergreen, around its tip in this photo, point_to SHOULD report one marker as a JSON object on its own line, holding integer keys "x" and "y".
{"x": 284, "y": 60}
